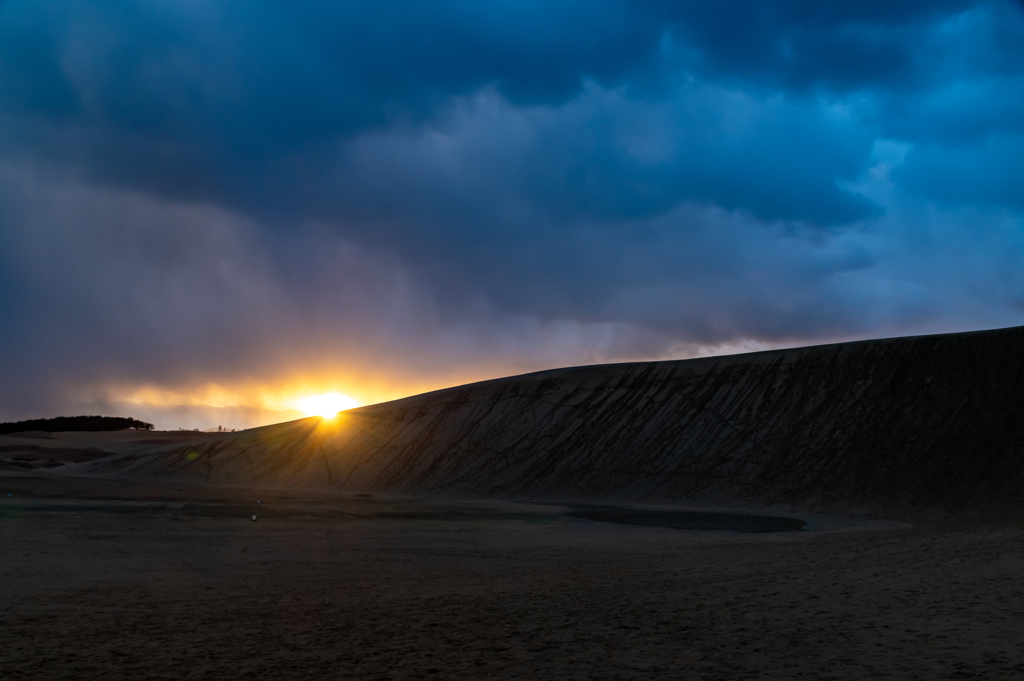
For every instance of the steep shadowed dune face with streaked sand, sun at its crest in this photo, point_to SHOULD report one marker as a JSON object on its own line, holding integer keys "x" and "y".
{"x": 891, "y": 424}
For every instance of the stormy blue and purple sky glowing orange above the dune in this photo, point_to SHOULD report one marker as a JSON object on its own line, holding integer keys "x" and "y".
{"x": 209, "y": 209}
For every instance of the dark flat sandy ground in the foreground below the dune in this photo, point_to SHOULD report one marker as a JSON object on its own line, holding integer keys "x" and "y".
{"x": 106, "y": 580}
